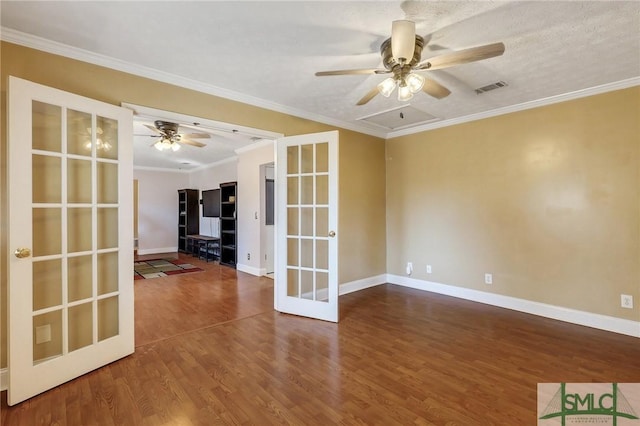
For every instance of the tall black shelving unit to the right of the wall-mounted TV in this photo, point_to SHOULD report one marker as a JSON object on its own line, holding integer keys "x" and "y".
{"x": 228, "y": 223}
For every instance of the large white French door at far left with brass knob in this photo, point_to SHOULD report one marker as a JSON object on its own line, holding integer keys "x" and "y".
{"x": 71, "y": 226}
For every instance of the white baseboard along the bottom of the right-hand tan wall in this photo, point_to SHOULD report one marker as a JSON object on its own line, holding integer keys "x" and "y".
{"x": 602, "y": 322}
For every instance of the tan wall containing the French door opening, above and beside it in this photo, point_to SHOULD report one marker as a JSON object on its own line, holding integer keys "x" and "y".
{"x": 361, "y": 156}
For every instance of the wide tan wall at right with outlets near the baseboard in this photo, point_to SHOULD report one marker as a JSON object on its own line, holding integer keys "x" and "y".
{"x": 547, "y": 200}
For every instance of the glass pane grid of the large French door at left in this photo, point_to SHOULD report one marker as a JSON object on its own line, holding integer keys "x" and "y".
{"x": 69, "y": 180}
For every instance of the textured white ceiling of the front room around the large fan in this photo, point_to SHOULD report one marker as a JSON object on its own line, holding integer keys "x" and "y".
{"x": 267, "y": 52}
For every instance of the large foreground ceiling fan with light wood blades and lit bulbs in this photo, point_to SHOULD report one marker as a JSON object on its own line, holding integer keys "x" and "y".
{"x": 401, "y": 57}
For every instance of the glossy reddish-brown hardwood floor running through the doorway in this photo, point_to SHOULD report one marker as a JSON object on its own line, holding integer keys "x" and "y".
{"x": 211, "y": 350}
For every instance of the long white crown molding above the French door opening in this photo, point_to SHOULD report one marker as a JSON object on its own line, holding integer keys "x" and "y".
{"x": 23, "y": 39}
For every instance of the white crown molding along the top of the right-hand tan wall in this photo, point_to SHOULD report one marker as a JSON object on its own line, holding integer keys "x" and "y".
{"x": 609, "y": 87}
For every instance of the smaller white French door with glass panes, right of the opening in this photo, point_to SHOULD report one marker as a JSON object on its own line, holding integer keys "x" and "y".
{"x": 307, "y": 225}
